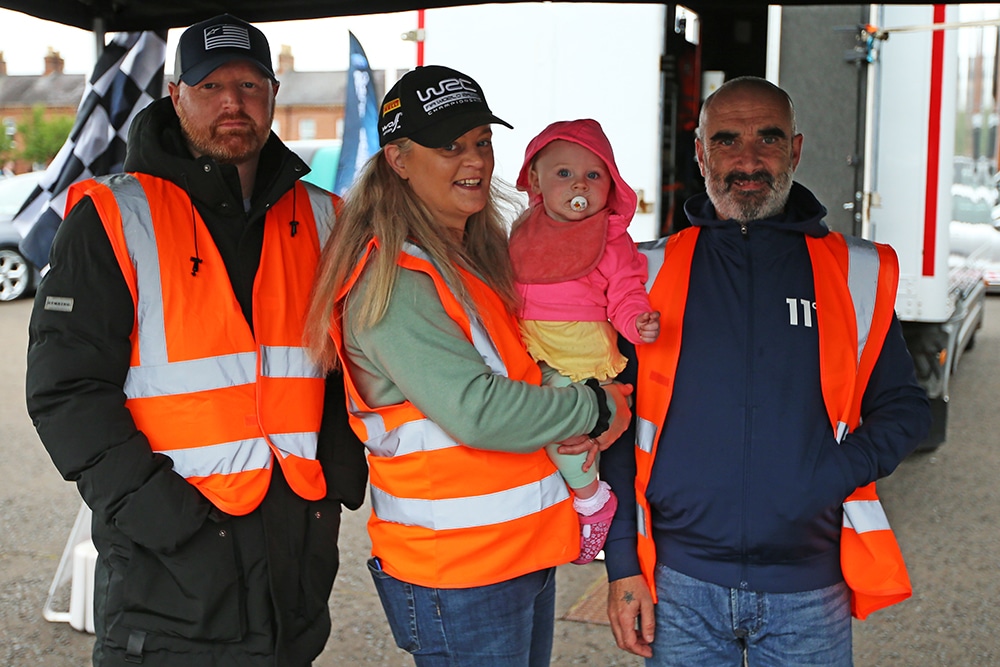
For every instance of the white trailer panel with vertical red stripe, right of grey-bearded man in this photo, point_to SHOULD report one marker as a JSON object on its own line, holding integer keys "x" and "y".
{"x": 901, "y": 177}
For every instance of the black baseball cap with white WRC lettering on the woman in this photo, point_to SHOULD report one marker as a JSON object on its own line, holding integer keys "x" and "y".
{"x": 433, "y": 106}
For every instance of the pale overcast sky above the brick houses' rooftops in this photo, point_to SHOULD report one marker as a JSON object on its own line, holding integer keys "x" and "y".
{"x": 318, "y": 44}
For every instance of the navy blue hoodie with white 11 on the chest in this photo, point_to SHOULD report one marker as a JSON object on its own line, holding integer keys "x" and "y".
{"x": 748, "y": 481}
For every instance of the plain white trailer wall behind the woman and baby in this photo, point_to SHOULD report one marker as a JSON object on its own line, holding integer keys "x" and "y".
{"x": 543, "y": 62}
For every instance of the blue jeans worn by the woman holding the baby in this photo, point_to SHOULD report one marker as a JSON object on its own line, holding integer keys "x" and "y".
{"x": 509, "y": 624}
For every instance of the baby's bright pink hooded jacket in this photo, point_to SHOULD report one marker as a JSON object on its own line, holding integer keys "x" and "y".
{"x": 615, "y": 289}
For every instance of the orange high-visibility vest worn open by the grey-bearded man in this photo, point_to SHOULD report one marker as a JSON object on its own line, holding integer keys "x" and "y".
{"x": 855, "y": 283}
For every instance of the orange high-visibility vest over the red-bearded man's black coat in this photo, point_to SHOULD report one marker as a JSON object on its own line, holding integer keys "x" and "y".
{"x": 217, "y": 398}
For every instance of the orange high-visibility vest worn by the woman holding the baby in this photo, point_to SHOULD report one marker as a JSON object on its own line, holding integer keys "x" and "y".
{"x": 445, "y": 515}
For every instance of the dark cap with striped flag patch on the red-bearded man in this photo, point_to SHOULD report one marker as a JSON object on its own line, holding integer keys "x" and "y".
{"x": 208, "y": 45}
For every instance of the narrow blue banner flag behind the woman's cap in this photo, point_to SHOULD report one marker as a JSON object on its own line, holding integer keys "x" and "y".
{"x": 360, "y": 118}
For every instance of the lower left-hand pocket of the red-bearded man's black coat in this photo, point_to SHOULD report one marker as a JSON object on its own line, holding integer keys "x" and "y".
{"x": 192, "y": 593}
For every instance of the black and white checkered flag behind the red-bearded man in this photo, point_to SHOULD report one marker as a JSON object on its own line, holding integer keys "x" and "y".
{"x": 127, "y": 77}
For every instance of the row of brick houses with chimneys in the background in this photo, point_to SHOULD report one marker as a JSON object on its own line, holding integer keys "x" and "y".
{"x": 310, "y": 105}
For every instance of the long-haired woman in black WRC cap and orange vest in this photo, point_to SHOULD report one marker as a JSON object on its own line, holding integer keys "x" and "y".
{"x": 415, "y": 301}
